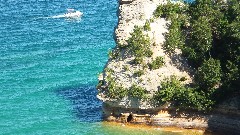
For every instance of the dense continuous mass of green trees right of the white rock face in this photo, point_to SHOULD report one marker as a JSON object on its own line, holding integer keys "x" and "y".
{"x": 208, "y": 33}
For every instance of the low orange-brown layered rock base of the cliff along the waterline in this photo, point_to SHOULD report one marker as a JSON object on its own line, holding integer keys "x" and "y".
{"x": 215, "y": 122}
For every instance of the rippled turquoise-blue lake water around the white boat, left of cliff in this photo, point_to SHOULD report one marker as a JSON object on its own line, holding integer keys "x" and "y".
{"x": 49, "y": 66}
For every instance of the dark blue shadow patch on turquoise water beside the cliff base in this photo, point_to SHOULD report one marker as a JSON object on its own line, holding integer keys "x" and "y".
{"x": 85, "y": 105}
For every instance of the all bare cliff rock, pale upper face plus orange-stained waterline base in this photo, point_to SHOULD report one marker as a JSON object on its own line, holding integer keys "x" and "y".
{"x": 136, "y": 12}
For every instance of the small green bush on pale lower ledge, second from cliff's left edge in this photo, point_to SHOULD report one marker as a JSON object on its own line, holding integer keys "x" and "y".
{"x": 137, "y": 91}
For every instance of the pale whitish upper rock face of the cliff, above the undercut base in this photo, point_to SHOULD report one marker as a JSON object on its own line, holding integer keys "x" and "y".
{"x": 136, "y": 13}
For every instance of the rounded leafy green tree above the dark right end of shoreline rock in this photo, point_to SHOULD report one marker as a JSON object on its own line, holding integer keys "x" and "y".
{"x": 209, "y": 74}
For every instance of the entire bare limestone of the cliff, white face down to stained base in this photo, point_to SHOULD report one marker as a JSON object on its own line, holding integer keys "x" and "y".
{"x": 123, "y": 73}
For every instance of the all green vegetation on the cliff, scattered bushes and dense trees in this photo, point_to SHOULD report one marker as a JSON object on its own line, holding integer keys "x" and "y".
{"x": 208, "y": 34}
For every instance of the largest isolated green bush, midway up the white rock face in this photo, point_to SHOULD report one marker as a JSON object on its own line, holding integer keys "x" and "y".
{"x": 139, "y": 45}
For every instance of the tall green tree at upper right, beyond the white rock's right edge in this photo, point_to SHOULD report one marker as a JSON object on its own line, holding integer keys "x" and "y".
{"x": 200, "y": 42}
